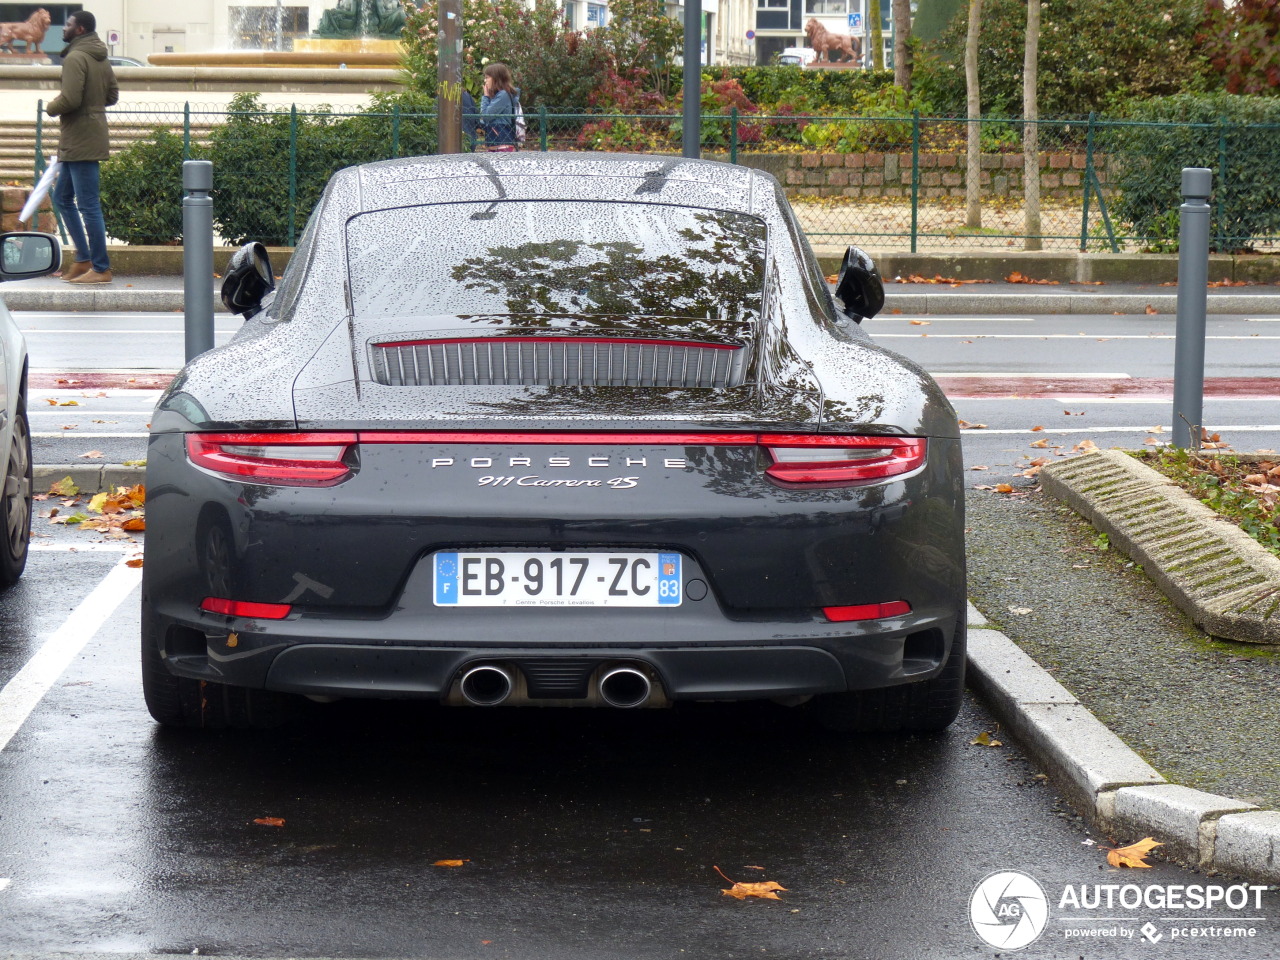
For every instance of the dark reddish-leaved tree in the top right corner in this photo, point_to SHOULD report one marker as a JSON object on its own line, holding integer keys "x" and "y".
{"x": 1242, "y": 43}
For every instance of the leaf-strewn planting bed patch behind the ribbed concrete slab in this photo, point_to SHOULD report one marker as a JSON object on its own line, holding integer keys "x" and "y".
{"x": 1244, "y": 491}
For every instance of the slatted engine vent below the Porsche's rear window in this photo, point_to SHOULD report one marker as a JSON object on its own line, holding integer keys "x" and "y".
{"x": 527, "y": 362}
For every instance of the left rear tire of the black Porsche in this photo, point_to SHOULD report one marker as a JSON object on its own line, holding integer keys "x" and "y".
{"x": 182, "y": 702}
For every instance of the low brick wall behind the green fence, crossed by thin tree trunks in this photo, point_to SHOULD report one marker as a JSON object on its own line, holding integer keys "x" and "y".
{"x": 889, "y": 176}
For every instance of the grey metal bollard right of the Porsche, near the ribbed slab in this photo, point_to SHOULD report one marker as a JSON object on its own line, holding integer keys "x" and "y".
{"x": 1192, "y": 307}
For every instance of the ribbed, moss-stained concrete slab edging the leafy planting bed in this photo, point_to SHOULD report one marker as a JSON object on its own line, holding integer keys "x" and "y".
{"x": 1217, "y": 574}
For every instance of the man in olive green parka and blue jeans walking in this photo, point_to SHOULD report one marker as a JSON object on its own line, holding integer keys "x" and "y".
{"x": 89, "y": 88}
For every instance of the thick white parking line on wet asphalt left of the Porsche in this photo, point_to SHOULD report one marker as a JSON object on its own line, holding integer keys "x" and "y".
{"x": 29, "y": 687}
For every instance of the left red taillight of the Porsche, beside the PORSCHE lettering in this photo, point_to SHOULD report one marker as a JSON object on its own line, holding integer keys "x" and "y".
{"x": 290, "y": 460}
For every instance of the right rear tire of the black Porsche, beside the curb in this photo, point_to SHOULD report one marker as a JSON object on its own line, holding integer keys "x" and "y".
{"x": 927, "y": 706}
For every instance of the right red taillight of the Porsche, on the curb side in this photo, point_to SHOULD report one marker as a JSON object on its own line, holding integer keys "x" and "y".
{"x": 825, "y": 459}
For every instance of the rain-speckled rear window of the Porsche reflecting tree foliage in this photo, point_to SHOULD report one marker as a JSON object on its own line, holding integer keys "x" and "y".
{"x": 556, "y": 258}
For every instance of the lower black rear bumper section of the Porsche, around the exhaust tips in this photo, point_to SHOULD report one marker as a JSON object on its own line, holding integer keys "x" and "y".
{"x": 877, "y": 655}
